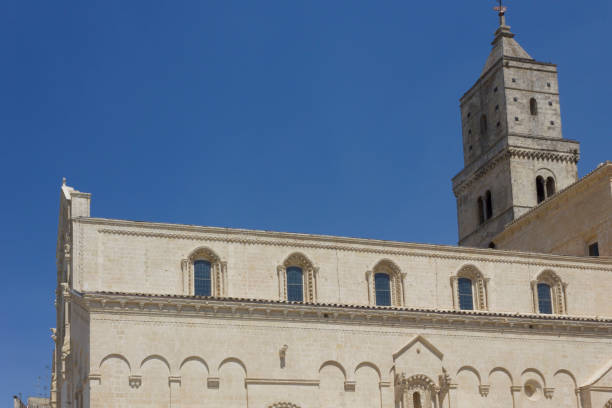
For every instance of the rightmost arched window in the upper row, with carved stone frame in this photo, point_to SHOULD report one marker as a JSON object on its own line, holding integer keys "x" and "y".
{"x": 549, "y": 293}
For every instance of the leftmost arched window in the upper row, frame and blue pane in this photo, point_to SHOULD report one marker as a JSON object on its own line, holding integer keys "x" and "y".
{"x": 204, "y": 274}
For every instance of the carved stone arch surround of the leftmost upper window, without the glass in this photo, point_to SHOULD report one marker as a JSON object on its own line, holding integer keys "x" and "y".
{"x": 218, "y": 271}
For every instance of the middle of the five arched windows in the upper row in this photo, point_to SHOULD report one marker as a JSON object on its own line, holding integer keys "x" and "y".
{"x": 385, "y": 284}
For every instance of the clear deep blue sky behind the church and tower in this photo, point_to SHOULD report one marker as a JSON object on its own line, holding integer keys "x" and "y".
{"x": 329, "y": 117}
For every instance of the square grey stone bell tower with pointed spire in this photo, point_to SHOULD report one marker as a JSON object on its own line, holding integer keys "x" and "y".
{"x": 513, "y": 149}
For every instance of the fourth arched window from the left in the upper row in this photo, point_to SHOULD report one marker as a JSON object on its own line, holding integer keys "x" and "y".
{"x": 469, "y": 289}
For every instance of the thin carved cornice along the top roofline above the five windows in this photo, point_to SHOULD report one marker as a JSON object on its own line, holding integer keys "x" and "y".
{"x": 358, "y": 245}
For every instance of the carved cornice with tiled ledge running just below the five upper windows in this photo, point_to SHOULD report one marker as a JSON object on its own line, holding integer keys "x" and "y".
{"x": 244, "y": 309}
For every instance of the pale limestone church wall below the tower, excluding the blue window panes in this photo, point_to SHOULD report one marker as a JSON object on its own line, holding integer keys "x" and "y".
{"x": 134, "y": 335}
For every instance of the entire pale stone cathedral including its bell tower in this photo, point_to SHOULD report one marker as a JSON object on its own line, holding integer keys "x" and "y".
{"x": 519, "y": 315}
